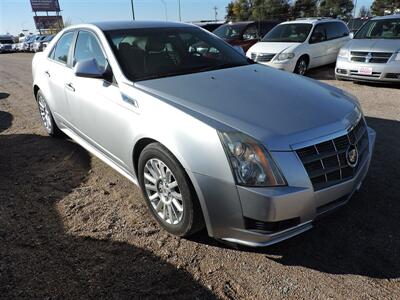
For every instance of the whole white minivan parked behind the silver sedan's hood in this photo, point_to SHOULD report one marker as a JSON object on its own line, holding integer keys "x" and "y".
{"x": 297, "y": 46}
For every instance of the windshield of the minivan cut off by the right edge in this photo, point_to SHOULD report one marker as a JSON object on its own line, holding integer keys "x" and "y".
{"x": 380, "y": 29}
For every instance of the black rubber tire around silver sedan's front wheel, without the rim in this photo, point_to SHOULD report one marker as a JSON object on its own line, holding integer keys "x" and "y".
{"x": 156, "y": 150}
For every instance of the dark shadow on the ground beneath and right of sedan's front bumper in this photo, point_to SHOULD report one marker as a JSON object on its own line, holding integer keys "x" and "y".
{"x": 361, "y": 238}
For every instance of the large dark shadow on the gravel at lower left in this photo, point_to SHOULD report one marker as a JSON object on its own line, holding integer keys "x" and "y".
{"x": 39, "y": 259}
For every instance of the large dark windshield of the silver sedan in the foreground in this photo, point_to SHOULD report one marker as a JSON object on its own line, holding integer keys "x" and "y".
{"x": 162, "y": 52}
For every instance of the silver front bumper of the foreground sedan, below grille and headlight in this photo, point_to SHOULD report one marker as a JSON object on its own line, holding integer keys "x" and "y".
{"x": 288, "y": 210}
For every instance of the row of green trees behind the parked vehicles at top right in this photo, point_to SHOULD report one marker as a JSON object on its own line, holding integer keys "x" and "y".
{"x": 243, "y": 10}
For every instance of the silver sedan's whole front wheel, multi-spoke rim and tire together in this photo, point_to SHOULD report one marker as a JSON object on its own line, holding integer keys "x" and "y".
{"x": 176, "y": 209}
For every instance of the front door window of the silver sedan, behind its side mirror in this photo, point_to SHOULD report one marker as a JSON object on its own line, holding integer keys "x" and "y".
{"x": 87, "y": 47}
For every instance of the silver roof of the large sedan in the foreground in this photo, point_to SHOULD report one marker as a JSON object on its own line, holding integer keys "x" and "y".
{"x": 117, "y": 25}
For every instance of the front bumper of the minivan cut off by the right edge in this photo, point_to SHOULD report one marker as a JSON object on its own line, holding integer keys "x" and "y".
{"x": 386, "y": 72}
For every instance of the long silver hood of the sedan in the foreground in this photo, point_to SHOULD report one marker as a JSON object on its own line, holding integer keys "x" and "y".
{"x": 275, "y": 107}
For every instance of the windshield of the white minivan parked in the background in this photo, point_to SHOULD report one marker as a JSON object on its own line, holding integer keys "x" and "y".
{"x": 291, "y": 33}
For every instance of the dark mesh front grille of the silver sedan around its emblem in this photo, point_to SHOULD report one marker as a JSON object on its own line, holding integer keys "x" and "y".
{"x": 326, "y": 162}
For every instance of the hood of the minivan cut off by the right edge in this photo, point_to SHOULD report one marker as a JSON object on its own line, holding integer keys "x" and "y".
{"x": 374, "y": 45}
